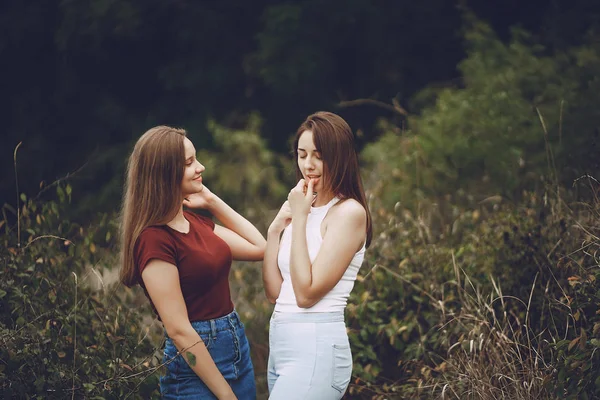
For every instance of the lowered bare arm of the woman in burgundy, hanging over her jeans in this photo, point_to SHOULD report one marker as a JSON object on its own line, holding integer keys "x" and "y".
{"x": 162, "y": 283}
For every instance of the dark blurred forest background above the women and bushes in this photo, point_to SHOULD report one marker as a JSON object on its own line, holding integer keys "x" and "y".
{"x": 81, "y": 80}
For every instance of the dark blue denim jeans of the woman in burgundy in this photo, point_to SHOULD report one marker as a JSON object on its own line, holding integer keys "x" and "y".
{"x": 226, "y": 342}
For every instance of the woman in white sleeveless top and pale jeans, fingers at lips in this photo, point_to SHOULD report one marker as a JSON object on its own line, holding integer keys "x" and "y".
{"x": 310, "y": 269}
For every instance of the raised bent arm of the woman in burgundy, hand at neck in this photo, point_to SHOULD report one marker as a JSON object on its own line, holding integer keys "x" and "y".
{"x": 244, "y": 240}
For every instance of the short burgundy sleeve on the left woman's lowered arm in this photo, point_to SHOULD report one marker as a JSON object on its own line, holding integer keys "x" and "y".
{"x": 153, "y": 243}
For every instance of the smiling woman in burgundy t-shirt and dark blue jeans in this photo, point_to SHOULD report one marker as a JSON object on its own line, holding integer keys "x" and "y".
{"x": 182, "y": 261}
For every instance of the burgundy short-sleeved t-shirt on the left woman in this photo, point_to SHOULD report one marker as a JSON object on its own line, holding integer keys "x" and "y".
{"x": 202, "y": 258}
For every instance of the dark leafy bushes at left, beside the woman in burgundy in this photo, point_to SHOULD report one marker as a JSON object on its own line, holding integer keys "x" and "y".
{"x": 61, "y": 337}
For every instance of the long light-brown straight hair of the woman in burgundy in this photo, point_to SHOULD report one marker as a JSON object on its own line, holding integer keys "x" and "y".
{"x": 152, "y": 193}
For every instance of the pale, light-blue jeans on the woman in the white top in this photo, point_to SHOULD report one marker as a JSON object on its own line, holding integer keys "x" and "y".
{"x": 309, "y": 356}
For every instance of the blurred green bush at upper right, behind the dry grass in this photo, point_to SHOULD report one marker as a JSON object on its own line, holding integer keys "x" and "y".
{"x": 521, "y": 114}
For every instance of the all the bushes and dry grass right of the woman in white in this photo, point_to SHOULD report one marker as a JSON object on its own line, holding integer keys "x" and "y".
{"x": 458, "y": 269}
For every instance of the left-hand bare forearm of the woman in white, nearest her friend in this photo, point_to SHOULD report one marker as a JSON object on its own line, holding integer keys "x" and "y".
{"x": 272, "y": 279}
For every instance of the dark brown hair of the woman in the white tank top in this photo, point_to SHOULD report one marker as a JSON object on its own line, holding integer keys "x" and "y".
{"x": 333, "y": 138}
